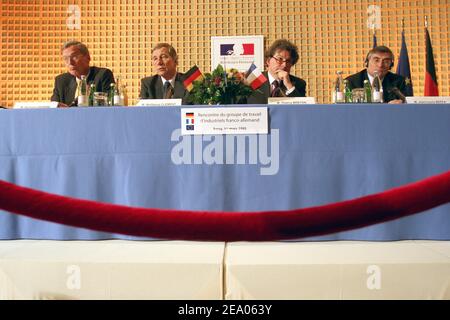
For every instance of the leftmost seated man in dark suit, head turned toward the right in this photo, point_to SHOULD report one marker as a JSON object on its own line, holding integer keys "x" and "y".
{"x": 76, "y": 57}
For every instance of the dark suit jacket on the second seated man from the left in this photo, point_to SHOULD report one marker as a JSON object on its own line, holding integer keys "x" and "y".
{"x": 152, "y": 88}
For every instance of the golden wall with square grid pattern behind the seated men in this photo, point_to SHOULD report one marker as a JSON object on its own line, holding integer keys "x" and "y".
{"x": 331, "y": 35}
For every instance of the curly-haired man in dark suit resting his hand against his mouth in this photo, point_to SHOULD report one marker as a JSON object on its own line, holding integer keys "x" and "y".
{"x": 279, "y": 59}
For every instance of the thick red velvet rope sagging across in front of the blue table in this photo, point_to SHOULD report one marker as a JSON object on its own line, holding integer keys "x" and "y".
{"x": 228, "y": 226}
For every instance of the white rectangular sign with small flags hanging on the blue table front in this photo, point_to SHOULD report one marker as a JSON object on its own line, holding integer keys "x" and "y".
{"x": 224, "y": 121}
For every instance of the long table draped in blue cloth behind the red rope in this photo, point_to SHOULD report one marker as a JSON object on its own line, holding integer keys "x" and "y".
{"x": 314, "y": 155}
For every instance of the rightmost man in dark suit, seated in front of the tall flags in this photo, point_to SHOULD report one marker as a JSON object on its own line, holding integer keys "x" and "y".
{"x": 381, "y": 59}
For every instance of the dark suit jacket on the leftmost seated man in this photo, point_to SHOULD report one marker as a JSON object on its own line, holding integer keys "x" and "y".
{"x": 66, "y": 84}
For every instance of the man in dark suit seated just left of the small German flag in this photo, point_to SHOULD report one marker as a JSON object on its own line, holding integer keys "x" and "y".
{"x": 167, "y": 83}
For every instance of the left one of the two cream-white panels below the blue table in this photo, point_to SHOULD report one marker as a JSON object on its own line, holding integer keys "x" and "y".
{"x": 113, "y": 269}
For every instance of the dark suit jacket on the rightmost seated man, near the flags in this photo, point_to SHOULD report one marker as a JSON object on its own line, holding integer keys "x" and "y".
{"x": 391, "y": 80}
